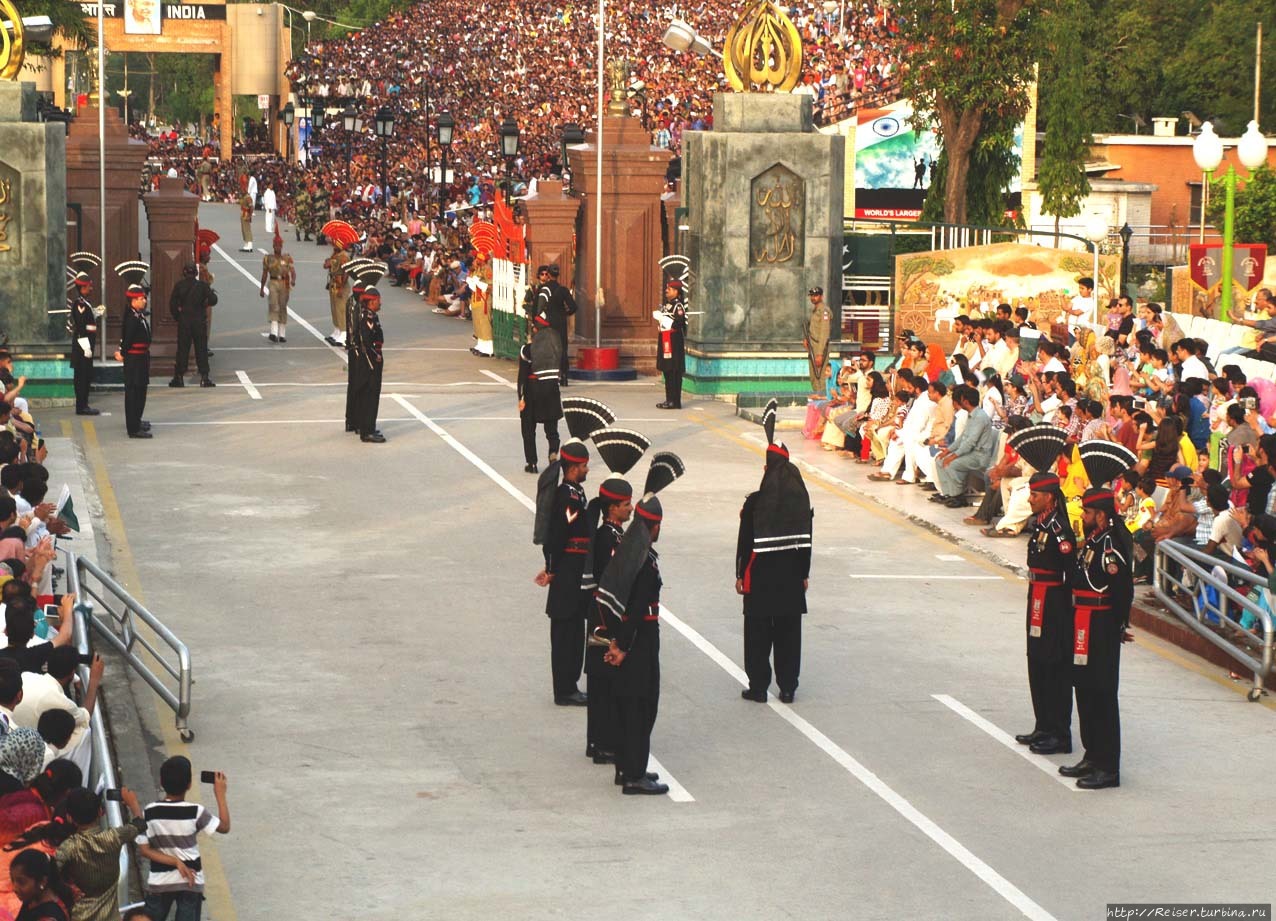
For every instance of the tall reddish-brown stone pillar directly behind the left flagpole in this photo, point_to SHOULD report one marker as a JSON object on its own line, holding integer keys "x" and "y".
{"x": 124, "y": 161}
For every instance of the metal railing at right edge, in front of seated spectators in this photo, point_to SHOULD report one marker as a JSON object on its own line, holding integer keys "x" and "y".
{"x": 1218, "y": 619}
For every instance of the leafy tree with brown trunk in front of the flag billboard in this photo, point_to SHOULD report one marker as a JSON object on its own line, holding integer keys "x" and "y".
{"x": 968, "y": 64}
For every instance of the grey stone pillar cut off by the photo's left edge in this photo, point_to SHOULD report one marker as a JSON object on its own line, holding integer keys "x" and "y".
{"x": 33, "y": 220}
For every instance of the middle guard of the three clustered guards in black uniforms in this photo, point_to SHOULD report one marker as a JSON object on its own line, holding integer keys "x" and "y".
{"x": 614, "y": 507}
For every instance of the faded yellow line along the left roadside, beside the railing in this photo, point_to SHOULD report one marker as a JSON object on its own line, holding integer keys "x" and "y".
{"x": 218, "y": 890}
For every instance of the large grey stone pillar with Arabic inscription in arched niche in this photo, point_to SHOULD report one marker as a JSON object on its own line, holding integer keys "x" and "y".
{"x": 765, "y": 196}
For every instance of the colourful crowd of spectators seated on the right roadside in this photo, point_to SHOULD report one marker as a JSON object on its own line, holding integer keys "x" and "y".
{"x": 1205, "y": 434}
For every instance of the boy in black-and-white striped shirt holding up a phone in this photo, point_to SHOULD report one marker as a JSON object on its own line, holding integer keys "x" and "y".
{"x": 172, "y": 843}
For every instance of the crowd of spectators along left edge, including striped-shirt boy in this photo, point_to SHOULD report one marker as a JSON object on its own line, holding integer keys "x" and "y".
{"x": 58, "y": 859}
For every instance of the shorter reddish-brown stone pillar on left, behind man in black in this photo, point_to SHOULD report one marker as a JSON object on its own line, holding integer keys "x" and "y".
{"x": 172, "y": 220}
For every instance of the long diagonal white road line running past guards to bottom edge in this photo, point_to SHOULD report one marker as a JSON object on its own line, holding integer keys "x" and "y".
{"x": 954, "y": 848}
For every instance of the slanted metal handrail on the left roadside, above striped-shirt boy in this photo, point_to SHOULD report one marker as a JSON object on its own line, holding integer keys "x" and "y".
{"x": 119, "y": 632}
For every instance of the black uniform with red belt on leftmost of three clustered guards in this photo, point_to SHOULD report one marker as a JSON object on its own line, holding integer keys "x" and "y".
{"x": 566, "y": 548}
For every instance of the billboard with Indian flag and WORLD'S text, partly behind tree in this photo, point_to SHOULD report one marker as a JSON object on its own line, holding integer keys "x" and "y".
{"x": 895, "y": 164}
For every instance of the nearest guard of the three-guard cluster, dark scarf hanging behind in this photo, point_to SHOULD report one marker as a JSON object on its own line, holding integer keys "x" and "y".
{"x": 631, "y": 604}
